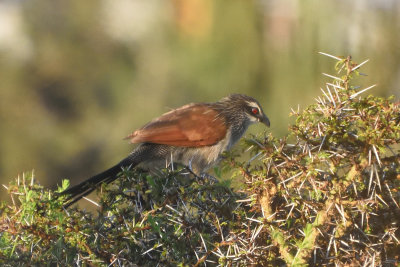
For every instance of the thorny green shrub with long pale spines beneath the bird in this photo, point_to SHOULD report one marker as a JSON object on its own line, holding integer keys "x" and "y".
{"x": 328, "y": 193}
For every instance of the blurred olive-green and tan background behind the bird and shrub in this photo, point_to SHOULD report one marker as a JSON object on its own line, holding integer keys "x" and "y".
{"x": 78, "y": 76}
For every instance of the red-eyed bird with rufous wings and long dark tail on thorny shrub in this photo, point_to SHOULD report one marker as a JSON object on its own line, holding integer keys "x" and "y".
{"x": 194, "y": 135}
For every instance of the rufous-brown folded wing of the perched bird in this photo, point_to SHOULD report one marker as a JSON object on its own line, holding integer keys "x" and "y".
{"x": 192, "y": 125}
